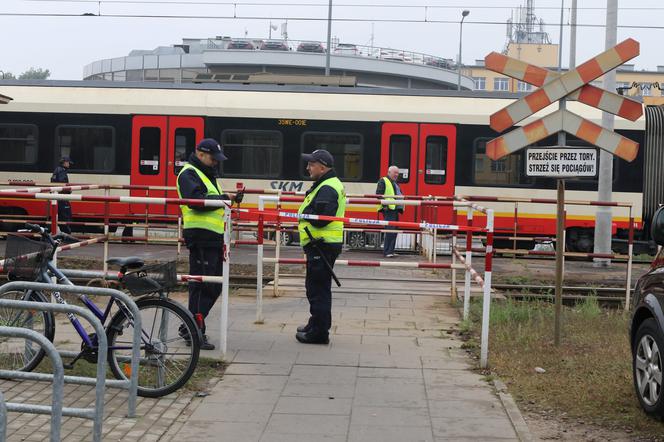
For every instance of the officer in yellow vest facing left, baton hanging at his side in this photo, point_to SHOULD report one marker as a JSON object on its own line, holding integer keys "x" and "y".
{"x": 325, "y": 197}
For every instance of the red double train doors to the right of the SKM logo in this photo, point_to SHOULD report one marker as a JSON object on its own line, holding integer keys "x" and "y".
{"x": 425, "y": 155}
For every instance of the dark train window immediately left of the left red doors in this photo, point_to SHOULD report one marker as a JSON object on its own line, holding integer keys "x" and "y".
{"x": 92, "y": 148}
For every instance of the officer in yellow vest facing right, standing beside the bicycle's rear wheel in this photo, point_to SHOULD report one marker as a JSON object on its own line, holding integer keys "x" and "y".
{"x": 203, "y": 228}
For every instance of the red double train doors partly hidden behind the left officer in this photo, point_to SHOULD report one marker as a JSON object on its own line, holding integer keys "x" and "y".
{"x": 160, "y": 145}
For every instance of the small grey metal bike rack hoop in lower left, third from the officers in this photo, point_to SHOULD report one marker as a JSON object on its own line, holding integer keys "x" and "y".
{"x": 55, "y": 410}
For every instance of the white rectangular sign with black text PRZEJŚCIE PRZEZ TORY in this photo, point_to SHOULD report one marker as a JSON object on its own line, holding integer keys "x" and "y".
{"x": 561, "y": 162}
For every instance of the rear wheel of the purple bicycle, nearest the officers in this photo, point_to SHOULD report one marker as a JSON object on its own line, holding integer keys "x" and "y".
{"x": 169, "y": 354}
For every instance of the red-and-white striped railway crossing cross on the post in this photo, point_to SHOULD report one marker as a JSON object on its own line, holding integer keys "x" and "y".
{"x": 572, "y": 85}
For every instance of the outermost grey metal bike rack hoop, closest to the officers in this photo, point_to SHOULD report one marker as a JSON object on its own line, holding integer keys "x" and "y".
{"x": 132, "y": 384}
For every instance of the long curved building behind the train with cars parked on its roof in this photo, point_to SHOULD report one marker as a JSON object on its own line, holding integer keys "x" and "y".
{"x": 224, "y": 59}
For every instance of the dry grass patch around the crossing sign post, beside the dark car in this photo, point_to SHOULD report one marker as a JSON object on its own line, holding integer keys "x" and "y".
{"x": 589, "y": 376}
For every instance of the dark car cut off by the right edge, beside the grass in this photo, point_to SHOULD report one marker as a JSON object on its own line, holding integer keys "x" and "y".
{"x": 647, "y": 328}
